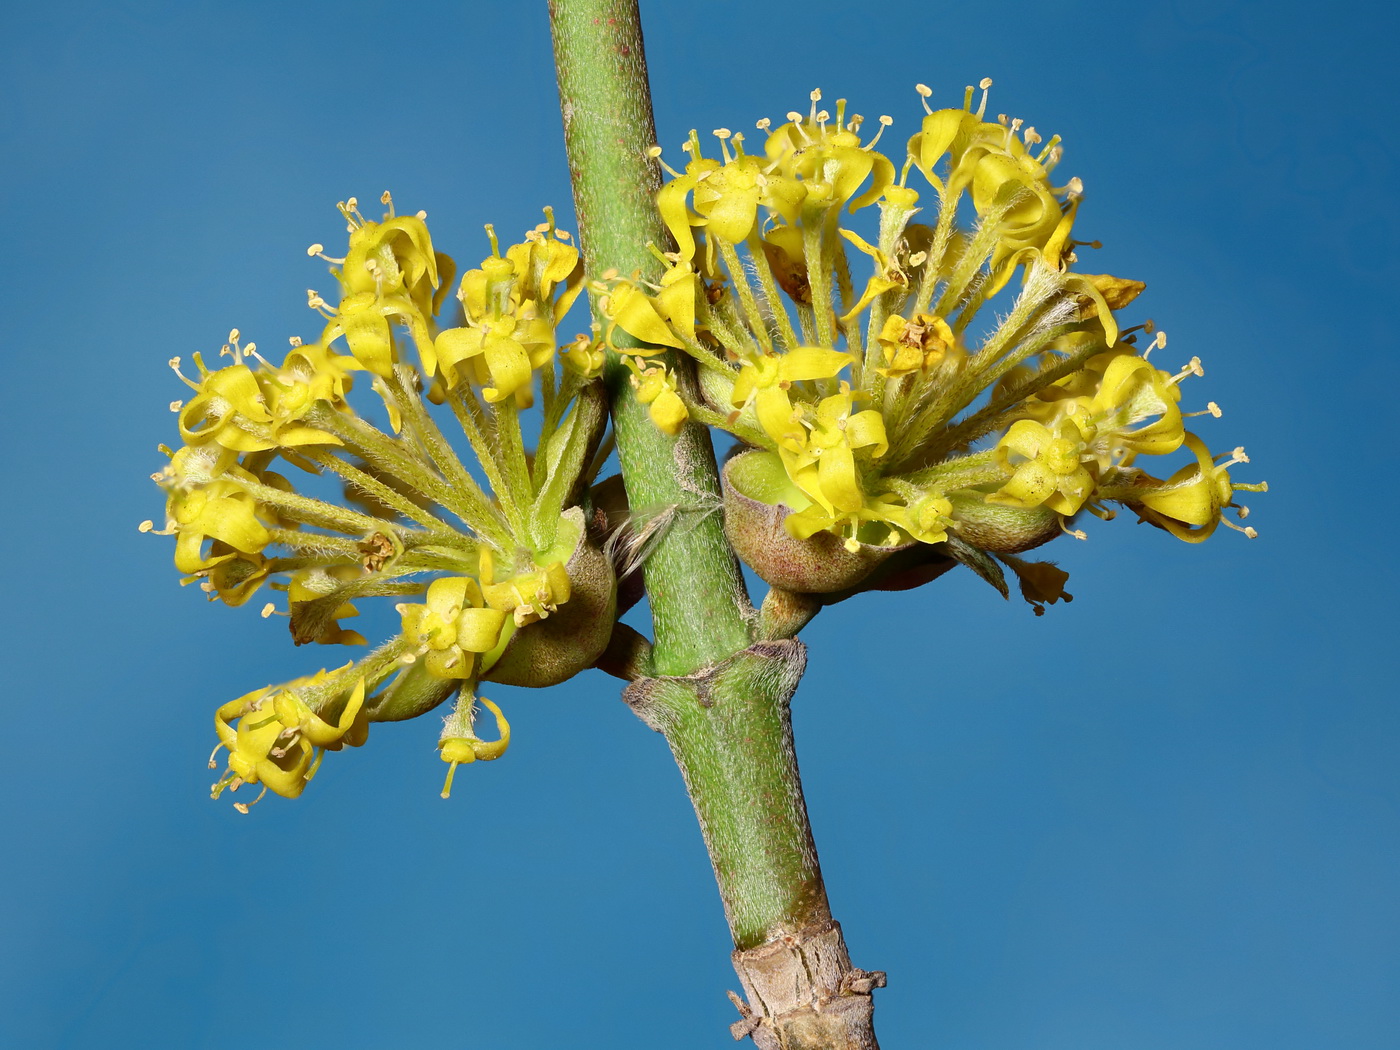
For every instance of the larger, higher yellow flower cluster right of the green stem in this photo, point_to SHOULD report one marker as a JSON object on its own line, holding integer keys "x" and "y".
{"x": 874, "y": 411}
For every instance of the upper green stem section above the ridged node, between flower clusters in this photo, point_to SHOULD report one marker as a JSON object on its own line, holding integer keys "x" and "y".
{"x": 698, "y": 598}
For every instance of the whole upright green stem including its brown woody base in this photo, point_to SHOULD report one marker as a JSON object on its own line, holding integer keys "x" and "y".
{"x": 723, "y": 705}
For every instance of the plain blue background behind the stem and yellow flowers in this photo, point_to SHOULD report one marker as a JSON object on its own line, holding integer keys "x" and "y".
{"x": 1164, "y": 817}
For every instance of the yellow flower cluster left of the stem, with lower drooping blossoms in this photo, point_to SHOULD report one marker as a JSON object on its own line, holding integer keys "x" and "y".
{"x": 493, "y": 566}
